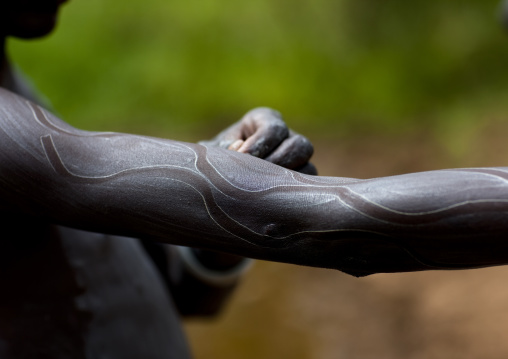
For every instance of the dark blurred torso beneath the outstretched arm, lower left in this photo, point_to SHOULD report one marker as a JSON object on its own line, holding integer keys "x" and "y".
{"x": 73, "y": 294}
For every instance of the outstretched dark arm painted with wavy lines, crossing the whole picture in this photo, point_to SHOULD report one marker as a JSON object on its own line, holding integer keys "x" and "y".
{"x": 217, "y": 199}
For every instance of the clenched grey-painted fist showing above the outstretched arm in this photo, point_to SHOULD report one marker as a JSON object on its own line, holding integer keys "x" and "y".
{"x": 262, "y": 133}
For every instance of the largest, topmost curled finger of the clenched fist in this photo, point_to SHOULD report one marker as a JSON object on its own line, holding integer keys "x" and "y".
{"x": 263, "y": 130}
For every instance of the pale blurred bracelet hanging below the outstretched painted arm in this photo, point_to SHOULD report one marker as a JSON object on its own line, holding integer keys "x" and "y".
{"x": 214, "y": 277}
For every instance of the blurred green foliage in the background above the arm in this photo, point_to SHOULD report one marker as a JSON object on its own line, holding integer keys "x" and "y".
{"x": 348, "y": 65}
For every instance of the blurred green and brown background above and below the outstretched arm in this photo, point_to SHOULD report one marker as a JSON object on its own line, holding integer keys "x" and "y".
{"x": 381, "y": 87}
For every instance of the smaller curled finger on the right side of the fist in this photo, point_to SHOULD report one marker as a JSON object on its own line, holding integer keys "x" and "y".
{"x": 293, "y": 153}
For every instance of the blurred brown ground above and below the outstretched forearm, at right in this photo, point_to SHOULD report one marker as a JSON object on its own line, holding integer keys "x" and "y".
{"x": 285, "y": 311}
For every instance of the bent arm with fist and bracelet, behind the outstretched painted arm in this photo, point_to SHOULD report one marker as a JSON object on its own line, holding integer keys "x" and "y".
{"x": 201, "y": 281}
